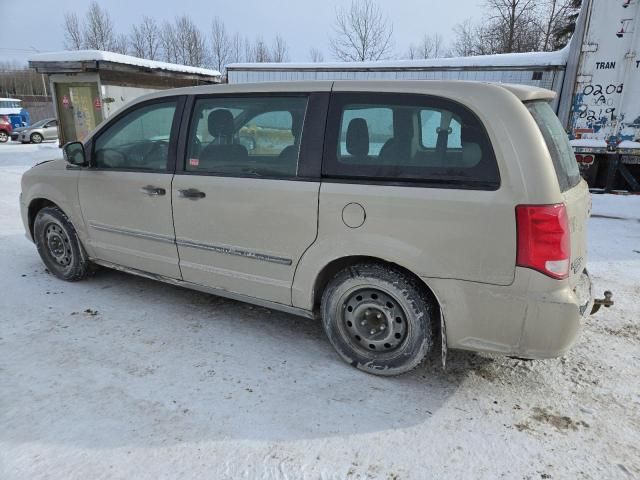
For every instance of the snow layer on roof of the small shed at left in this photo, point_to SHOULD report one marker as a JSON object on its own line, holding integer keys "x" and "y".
{"x": 102, "y": 56}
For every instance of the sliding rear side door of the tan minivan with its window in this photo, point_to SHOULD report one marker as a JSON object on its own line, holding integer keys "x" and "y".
{"x": 243, "y": 212}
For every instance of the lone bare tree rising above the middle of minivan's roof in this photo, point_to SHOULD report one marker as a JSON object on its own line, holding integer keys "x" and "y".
{"x": 362, "y": 32}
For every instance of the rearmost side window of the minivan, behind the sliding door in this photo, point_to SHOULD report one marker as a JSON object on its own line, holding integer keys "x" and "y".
{"x": 408, "y": 138}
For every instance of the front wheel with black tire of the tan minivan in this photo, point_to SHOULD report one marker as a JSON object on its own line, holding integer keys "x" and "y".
{"x": 59, "y": 246}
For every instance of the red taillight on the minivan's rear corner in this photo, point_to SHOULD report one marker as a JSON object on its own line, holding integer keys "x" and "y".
{"x": 543, "y": 239}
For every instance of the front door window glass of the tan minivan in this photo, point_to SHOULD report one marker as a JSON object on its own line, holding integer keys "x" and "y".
{"x": 139, "y": 140}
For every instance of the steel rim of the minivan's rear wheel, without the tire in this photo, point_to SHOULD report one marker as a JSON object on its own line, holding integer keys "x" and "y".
{"x": 372, "y": 320}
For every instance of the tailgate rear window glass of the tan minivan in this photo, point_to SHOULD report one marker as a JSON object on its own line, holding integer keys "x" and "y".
{"x": 564, "y": 160}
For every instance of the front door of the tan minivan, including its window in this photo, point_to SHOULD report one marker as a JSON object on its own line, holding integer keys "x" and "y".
{"x": 125, "y": 196}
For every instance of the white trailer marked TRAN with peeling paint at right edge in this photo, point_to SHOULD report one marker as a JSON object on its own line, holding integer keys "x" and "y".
{"x": 604, "y": 100}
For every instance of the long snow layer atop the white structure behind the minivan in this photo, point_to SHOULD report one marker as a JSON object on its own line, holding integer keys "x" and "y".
{"x": 557, "y": 58}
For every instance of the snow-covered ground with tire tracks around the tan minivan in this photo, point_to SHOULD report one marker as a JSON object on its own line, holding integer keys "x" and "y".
{"x": 122, "y": 377}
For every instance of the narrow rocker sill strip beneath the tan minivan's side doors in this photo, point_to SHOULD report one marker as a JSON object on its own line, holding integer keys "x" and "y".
{"x": 213, "y": 291}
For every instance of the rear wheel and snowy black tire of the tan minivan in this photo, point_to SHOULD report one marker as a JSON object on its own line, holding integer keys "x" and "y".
{"x": 361, "y": 299}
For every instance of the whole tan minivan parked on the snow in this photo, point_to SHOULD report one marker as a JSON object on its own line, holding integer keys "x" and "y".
{"x": 400, "y": 213}
